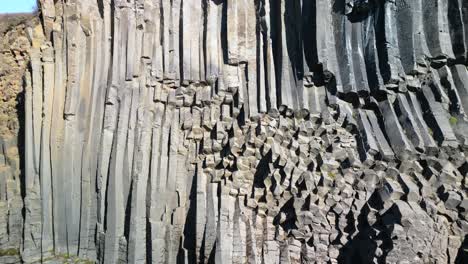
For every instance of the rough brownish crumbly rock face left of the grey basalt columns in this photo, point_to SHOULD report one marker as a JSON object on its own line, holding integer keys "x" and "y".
{"x": 14, "y": 59}
